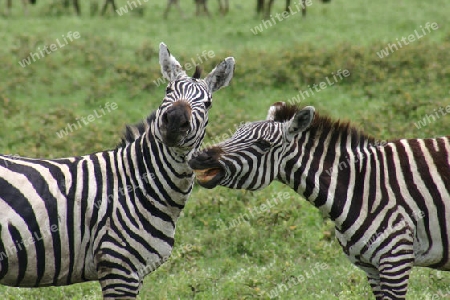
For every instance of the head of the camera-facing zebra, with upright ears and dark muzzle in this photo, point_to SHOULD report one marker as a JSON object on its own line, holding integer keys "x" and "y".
{"x": 181, "y": 119}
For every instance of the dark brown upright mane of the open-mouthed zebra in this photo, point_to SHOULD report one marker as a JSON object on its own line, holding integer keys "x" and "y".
{"x": 284, "y": 112}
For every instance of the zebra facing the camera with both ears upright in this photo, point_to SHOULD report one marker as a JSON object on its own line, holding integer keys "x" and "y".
{"x": 108, "y": 216}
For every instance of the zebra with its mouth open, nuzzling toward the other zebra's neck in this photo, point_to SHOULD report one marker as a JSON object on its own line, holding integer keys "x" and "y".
{"x": 389, "y": 200}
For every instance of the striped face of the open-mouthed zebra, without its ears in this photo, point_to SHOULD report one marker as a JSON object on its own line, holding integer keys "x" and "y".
{"x": 248, "y": 160}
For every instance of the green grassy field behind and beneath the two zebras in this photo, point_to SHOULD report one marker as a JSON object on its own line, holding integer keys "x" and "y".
{"x": 115, "y": 60}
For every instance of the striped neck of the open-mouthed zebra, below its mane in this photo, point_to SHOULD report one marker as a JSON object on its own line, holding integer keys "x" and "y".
{"x": 328, "y": 170}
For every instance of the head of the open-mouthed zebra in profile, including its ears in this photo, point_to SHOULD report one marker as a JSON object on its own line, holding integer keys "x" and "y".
{"x": 251, "y": 158}
